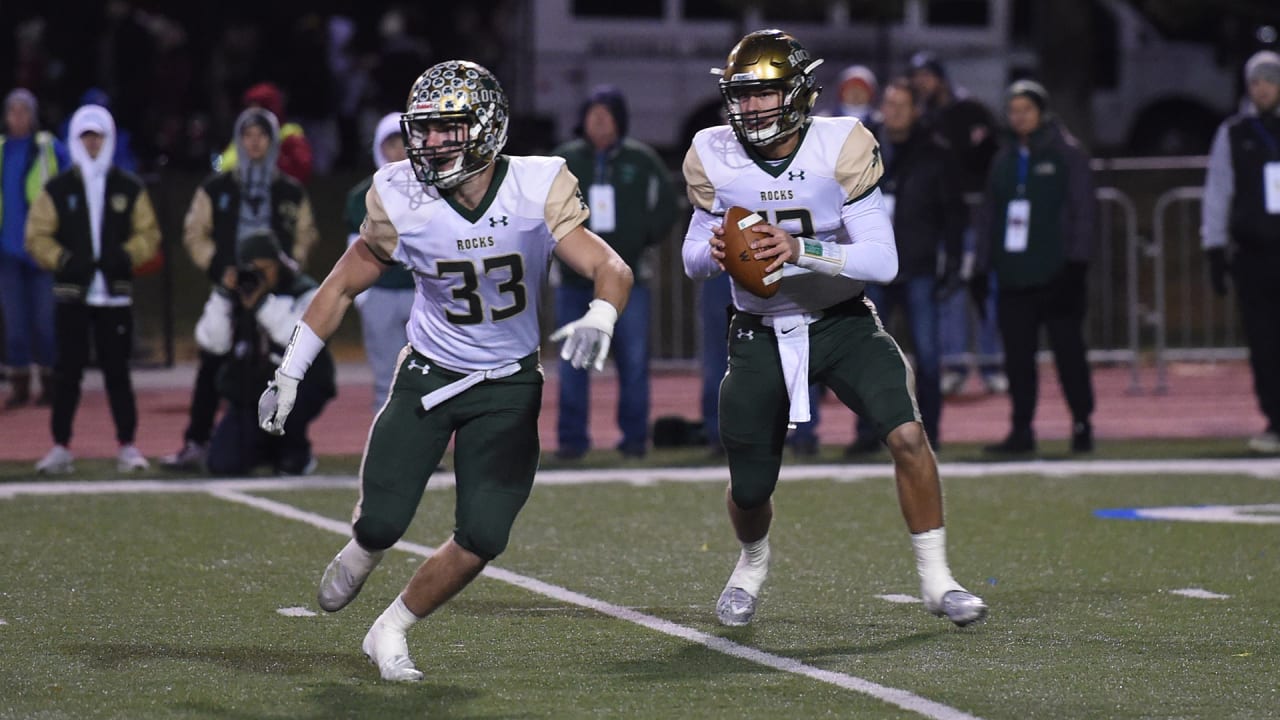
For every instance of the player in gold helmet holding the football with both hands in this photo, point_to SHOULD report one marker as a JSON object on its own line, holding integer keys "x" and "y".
{"x": 815, "y": 183}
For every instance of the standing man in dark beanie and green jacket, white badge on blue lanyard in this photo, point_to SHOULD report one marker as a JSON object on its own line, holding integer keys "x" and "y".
{"x": 1037, "y": 234}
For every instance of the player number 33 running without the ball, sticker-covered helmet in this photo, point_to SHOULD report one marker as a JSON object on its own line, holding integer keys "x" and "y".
{"x": 477, "y": 230}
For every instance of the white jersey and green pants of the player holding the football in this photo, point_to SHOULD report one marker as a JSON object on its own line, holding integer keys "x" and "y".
{"x": 817, "y": 327}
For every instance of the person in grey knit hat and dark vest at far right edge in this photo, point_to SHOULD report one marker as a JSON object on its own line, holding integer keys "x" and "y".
{"x": 1241, "y": 231}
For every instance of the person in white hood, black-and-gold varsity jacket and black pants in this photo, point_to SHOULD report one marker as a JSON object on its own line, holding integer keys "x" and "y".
{"x": 93, "y": 226}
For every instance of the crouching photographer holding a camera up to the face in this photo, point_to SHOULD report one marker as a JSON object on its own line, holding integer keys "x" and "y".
{"x": 248, "y": 323}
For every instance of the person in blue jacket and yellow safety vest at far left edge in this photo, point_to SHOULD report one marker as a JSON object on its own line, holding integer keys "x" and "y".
{"x": 29, "y": 160}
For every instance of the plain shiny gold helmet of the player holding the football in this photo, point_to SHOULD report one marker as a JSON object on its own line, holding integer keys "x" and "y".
{"x": 769, "y": 61}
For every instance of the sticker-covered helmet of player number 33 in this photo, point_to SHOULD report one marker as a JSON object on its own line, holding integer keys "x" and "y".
{"x": 463, "y": 94}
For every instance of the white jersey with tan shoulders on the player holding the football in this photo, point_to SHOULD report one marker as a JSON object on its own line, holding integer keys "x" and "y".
{"x": 838, "y": 162}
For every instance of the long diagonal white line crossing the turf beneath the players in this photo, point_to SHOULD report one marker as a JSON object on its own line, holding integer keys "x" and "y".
{"x": 893, "y": 696}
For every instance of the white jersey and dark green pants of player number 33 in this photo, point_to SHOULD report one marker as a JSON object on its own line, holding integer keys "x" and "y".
{"x": 478, "y": 277}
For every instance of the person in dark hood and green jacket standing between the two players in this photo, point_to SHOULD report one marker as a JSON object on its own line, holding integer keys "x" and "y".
{"x": 633, "y": 207}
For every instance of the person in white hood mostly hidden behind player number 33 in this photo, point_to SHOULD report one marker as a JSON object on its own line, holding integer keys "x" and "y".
{"x": 385, "y": 309}
